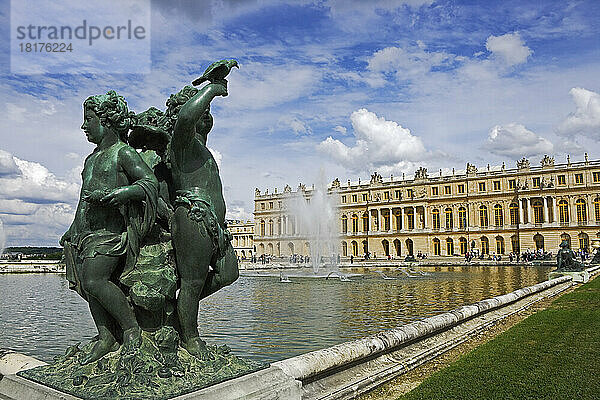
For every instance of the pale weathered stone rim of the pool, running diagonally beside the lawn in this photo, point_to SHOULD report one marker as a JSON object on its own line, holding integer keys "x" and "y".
{"x": 343, "y": 371}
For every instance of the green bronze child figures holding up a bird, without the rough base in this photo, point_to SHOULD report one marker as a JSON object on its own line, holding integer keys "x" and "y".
{"x": 149, "y": 238}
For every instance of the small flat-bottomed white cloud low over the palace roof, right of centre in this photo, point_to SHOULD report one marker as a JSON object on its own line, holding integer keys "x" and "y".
{"x": 514, "y": 140}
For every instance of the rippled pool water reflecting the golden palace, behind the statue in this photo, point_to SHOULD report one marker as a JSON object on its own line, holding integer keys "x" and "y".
{"x": 260, "y": 317}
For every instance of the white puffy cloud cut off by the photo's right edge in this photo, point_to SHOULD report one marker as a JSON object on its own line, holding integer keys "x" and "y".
{"x": 586, "y": 117}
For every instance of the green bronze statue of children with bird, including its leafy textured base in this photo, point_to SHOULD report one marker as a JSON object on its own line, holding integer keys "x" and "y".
{"x": 149, "y": 224}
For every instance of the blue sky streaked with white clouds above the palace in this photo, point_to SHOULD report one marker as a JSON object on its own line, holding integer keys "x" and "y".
{"x": 325, "y": 89}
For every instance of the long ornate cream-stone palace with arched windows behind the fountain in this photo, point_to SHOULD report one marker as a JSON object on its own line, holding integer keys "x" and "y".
{"x": 492, "y": 210}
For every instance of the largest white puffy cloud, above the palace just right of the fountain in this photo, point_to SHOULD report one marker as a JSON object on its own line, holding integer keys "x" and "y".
{"x": 381, "y": 145}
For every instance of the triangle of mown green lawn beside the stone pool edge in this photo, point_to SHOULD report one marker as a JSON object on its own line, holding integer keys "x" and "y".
{"x": 553, "y": 354}
